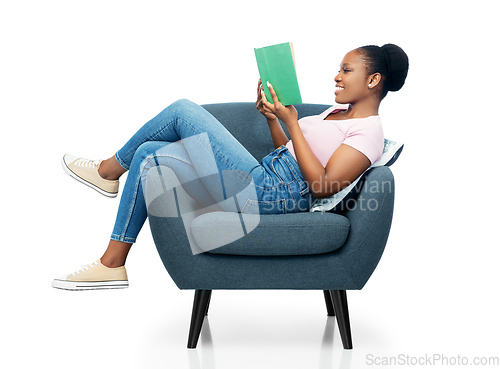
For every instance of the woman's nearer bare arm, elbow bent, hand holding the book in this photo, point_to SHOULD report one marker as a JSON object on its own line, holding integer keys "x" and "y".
{"x": 345, "y": 165}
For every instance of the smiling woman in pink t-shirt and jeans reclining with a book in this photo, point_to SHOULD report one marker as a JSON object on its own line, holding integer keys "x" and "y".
{"x": 323, "y": 155}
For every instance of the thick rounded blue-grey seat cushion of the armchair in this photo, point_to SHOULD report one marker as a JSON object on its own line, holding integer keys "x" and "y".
{"x": 279, "y": 235}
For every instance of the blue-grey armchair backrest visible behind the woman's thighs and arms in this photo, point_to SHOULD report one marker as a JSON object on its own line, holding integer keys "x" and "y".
{"x": 249, "y": 126}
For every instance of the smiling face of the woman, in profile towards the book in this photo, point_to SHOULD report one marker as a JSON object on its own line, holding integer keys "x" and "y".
{"x": 352, "y": 80}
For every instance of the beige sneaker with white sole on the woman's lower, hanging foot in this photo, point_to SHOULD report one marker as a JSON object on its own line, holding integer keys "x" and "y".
{"x": 93, "y": 277}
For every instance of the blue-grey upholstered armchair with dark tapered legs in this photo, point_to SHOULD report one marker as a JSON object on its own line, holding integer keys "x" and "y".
{"x": 323, "y": 251}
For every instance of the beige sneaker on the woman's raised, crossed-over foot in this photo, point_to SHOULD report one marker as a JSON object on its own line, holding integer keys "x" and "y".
{"x": 87, "y": 172}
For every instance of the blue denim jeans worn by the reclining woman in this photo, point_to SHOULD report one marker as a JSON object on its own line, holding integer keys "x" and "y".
{"x": 178, "y": 138}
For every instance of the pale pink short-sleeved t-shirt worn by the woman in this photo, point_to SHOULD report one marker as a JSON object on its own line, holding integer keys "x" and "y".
{"x": 325, "y": 136}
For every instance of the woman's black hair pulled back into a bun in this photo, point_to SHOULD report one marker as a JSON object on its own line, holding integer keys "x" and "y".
{"x": 390, "y": 61}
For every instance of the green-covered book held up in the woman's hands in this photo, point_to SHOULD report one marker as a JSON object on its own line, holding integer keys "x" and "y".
{"x": 277, "y": 65}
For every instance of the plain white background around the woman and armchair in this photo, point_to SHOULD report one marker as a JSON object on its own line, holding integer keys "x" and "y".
{"x": 82, "y": 76}
